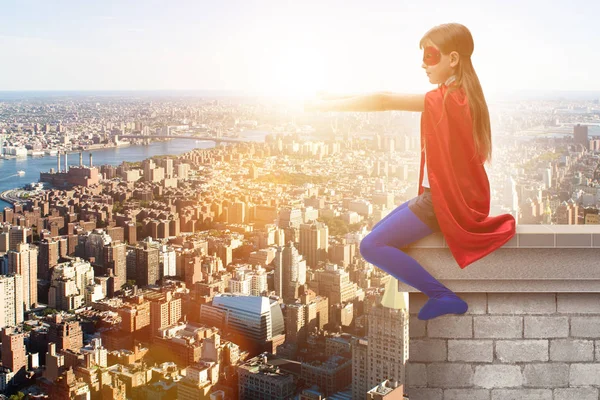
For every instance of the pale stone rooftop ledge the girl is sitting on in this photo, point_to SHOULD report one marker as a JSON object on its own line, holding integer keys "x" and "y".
{"x": 539, "y": 258}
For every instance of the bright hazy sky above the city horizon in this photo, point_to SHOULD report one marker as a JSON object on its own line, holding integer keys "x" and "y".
{"x": 290, "y": 47}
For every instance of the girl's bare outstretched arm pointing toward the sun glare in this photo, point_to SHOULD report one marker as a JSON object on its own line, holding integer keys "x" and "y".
{"x": 380, "y": 101}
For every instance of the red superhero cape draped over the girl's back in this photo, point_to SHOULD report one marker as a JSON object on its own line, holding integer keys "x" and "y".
{"x": 460, "y": 190}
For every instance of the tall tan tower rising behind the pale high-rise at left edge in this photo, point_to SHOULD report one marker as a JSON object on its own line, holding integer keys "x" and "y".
{"x": 23, "y": 261}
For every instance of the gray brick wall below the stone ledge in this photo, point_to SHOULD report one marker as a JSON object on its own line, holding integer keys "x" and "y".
{"x": 509, "y": 346}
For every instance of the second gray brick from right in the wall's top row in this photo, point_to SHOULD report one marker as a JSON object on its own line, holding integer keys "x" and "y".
{"x": 521, "y": 303}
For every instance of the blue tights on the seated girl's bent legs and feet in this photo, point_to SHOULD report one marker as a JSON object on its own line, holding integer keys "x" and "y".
{"x": 382, "y": 247}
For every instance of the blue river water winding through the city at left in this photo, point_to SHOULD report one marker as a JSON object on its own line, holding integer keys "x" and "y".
{"x": 113, "y": 156}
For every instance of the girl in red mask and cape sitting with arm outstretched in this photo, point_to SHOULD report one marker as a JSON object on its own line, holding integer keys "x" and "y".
{"x": 454, "y": 193}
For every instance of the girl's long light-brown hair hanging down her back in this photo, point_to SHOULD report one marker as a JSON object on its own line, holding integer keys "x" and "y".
{"x": 456, "y": 37}
